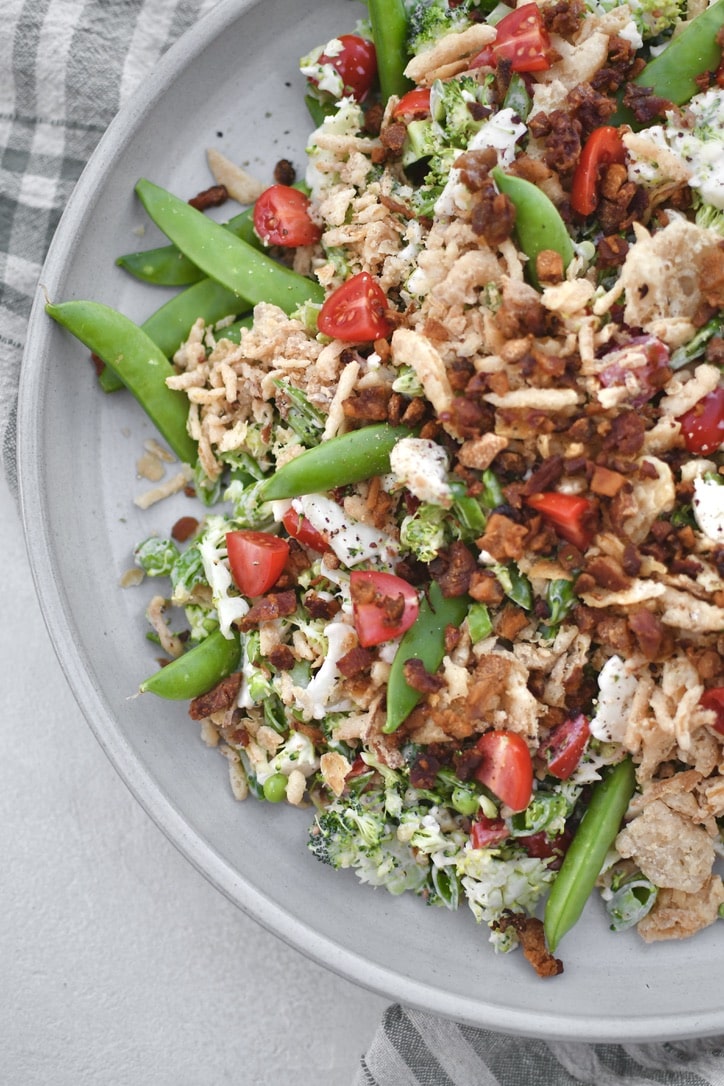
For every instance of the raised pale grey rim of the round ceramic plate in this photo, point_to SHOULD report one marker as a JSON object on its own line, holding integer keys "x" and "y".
{"x": 282, "y": 923}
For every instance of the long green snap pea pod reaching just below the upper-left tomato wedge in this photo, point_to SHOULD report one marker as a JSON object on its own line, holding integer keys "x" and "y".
{"x": 224, "y": 258}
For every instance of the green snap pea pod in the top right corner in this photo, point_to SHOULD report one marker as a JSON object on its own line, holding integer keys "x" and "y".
{"x": 674, "y": 73}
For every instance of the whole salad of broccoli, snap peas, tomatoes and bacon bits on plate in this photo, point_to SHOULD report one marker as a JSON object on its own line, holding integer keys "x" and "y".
{"x": 451, "y": 396}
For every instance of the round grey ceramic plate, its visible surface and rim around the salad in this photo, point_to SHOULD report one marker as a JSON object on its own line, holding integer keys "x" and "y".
{"x": 233, "y": 84}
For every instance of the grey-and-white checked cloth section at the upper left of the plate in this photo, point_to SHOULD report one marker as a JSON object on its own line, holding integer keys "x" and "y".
{"x": 68, "y": 67}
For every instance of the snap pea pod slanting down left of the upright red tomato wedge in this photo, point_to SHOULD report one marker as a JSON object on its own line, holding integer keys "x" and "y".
{"x": 539, "y": 225}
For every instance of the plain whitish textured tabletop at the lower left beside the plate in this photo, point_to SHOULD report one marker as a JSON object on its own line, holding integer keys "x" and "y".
{"x": 121, "y": 965}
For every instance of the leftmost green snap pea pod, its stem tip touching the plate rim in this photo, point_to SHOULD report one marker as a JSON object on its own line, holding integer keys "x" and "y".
{"x": 138, "y": 361}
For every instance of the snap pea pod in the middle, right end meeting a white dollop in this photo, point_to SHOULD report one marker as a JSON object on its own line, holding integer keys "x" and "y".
{"x": 348, "y": 459}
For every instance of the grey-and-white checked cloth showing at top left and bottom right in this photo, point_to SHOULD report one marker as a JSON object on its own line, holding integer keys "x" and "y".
{"x": 68, "y": 67}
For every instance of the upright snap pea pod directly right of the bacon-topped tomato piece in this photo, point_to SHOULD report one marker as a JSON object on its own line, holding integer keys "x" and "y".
{"x": 424, "y": 641}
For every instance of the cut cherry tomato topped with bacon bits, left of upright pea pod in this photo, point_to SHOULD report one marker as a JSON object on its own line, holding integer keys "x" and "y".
{"x": 384, "y": 607}
